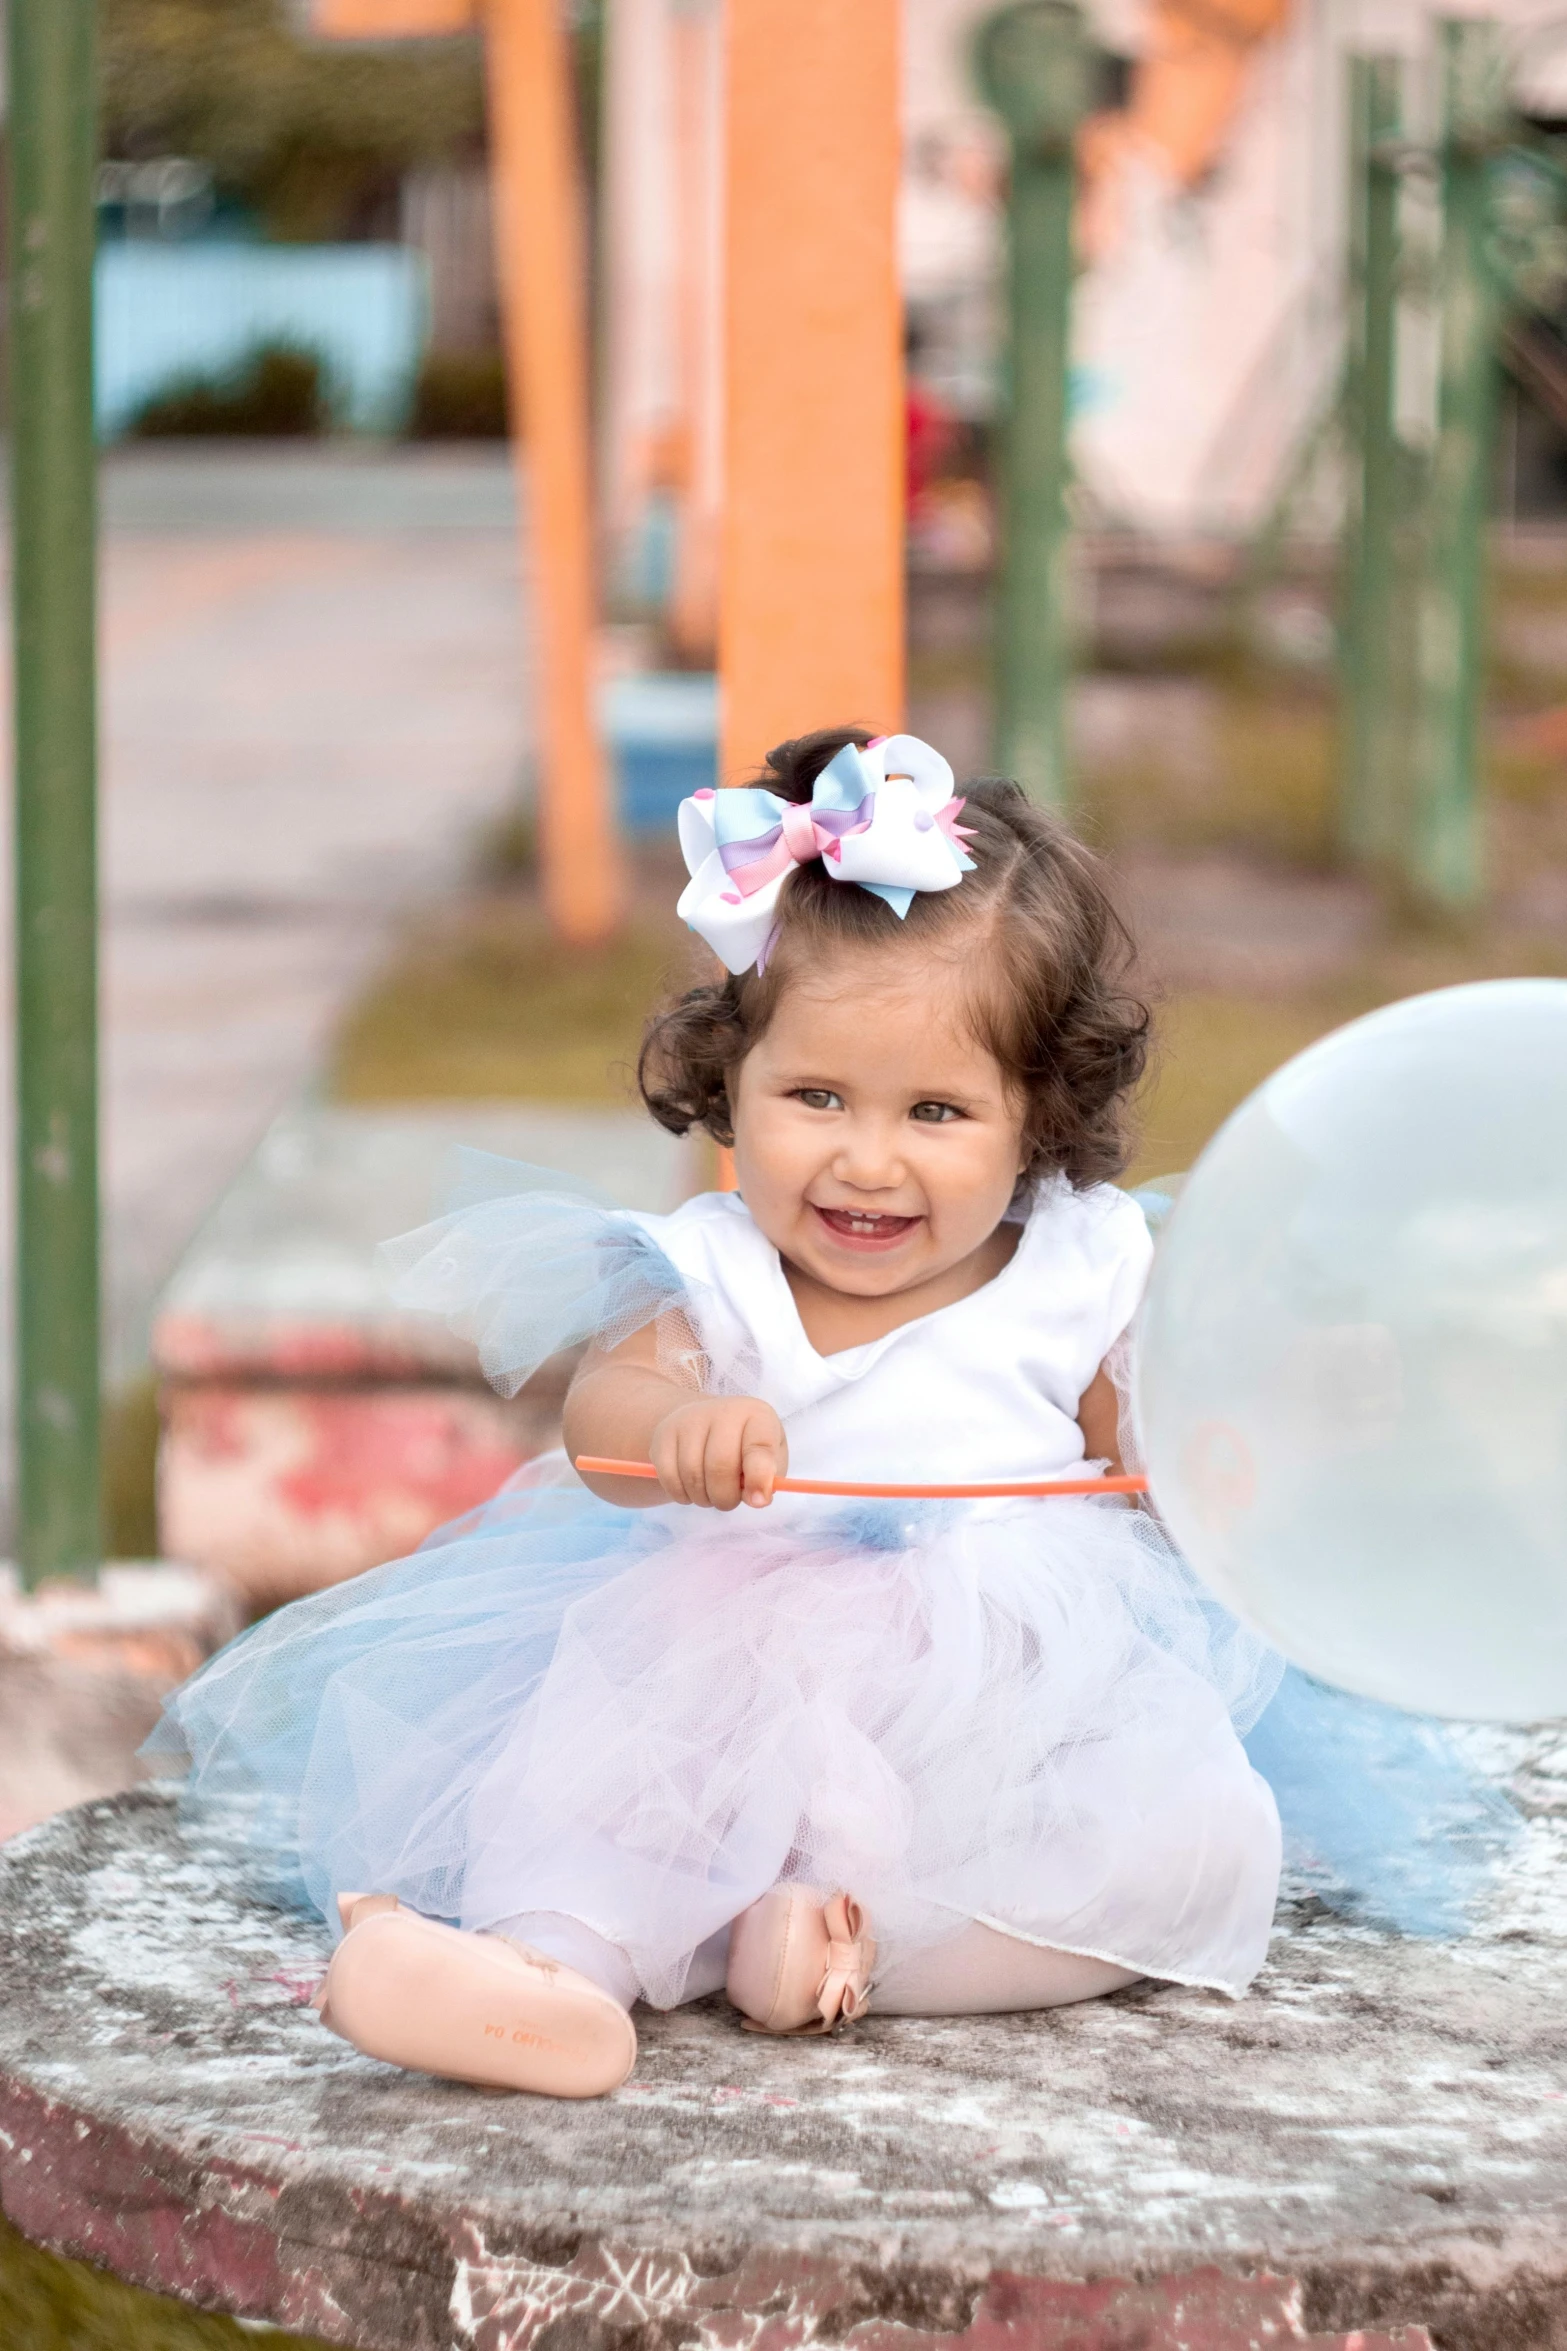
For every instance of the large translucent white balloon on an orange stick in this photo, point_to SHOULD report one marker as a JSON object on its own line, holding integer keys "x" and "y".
{"x": 1352, "y": 1369}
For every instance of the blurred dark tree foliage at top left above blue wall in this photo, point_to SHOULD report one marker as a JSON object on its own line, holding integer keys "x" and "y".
{"x": 311, "y": 135}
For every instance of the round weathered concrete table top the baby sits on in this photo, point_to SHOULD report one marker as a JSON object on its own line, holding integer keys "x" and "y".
{"x": 1373, "y": 2141}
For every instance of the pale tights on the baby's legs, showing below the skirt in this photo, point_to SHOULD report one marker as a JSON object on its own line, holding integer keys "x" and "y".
{"x": 978, "y": 1974}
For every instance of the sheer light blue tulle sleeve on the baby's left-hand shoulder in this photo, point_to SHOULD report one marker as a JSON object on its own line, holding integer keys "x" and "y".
{"x": 527, "y": 1266}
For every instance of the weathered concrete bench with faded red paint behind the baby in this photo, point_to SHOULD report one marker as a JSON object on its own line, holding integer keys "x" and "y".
{"x": 309, "y": 1426}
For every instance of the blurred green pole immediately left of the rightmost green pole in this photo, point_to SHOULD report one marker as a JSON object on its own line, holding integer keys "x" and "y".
{"x": 1373, "y": 674}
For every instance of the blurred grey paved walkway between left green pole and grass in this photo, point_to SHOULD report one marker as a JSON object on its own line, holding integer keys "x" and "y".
{"x": 314, "y": 699}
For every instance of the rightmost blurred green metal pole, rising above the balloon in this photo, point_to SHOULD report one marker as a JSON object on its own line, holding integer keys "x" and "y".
{"x": 1444, "y": 848}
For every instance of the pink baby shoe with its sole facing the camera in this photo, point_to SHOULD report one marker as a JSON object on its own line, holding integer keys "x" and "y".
{"x": 471, "y": 2007}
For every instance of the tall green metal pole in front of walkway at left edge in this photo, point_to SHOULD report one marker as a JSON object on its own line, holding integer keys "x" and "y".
{"x": 53, "y": 149}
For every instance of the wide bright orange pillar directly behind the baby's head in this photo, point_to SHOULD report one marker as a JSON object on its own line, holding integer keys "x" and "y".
{"x": 812, "y": 610}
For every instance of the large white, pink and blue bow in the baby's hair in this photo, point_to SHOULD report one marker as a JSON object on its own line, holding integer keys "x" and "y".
{"x": 882, "y": 817}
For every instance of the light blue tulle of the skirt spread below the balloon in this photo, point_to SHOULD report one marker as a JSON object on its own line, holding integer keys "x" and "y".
{"x": 1380, "y": 1809}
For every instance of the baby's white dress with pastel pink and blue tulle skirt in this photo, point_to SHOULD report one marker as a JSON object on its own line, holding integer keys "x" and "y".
{"x": 1018, "y": 1713}
